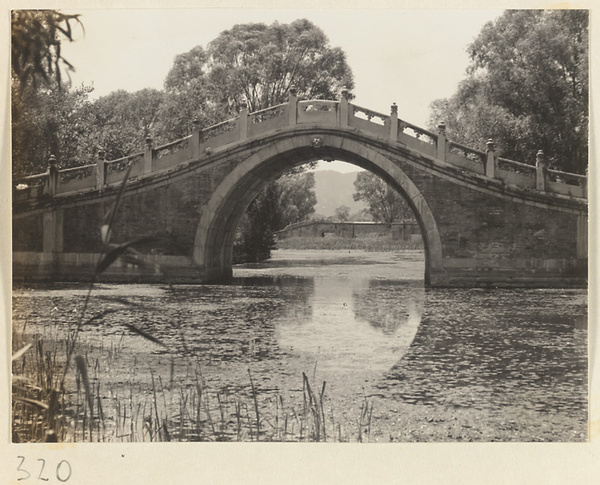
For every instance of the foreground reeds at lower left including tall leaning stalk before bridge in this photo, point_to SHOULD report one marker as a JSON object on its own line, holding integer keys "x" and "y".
{"x": 141, "y": 408}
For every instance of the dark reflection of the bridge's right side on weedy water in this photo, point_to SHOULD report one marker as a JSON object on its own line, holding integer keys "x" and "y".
{"x": 496, "y": 350}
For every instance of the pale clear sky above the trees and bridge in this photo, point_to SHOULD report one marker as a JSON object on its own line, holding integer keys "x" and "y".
{"x": 410, "y": 57}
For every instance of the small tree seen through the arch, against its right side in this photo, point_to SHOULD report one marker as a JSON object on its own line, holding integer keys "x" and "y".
{"x": 384, "y": 203}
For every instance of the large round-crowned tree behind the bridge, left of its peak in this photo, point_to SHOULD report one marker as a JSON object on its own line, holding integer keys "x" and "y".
{"x": 258, "y": 64}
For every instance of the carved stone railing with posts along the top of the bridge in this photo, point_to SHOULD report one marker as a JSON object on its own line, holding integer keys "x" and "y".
{"x": 342, "y": 114}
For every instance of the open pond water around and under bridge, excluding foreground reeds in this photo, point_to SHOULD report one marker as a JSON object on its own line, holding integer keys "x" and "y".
{"x": 436, "y": 364}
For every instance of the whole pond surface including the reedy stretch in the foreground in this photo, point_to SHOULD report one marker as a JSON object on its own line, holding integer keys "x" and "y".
{"x": 320, "y": 345}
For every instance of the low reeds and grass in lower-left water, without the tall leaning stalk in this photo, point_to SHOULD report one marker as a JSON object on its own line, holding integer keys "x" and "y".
{"x": 167, "y": 402}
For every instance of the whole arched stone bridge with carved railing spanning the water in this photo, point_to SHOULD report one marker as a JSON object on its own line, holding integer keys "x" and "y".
{"x": 484, "y": 220}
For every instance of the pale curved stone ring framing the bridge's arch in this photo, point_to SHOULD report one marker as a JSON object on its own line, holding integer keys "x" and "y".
{"x": 215, "y": 235}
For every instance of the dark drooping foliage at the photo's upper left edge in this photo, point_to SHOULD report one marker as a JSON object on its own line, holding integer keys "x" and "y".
{"x": 45, "y": 115}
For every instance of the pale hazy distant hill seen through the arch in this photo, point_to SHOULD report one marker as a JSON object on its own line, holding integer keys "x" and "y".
{"x": 334, "y": 189}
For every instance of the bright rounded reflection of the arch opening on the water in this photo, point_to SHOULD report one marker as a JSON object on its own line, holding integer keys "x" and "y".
{"x": 348, "y": 327}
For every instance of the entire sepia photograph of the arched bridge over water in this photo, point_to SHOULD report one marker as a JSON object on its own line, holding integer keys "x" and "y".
{"x": 346, "y": 226}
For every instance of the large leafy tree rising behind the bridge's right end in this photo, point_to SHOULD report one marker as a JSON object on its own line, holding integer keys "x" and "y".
{"x": 526, "y": 88}
